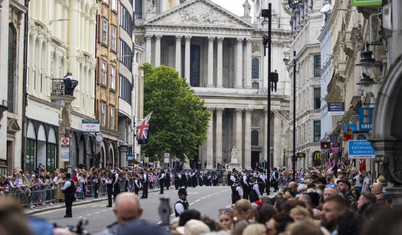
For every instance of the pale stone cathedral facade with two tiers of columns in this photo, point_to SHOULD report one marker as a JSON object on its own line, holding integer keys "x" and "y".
{"x": 222, "y": 57}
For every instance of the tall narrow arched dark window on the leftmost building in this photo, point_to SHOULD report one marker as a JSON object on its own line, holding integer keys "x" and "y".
{"x": 11, "y": 67}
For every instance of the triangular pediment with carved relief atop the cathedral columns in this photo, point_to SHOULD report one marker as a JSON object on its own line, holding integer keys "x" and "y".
{"x": 199, "y": 13}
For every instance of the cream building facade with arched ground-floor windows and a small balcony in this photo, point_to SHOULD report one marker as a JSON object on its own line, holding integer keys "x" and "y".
{"x": 59, "y": 42}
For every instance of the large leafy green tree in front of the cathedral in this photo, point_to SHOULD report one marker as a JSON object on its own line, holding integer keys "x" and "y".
{"x": 179, "y": 120}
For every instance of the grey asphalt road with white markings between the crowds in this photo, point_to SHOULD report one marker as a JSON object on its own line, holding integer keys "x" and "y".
{"x": 205, "y": 199}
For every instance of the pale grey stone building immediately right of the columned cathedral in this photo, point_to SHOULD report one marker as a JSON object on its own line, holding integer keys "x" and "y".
{"x": 305, "y": 28}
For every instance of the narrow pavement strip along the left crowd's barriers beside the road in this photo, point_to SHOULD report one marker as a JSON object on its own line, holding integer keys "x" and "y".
{"x": 87, "y": 200}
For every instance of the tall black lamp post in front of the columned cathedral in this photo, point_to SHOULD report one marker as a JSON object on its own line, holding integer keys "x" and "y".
{"x": 272, "y": 81}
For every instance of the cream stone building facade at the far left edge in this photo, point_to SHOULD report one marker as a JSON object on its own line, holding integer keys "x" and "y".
{"x": 12, "y": 31}
